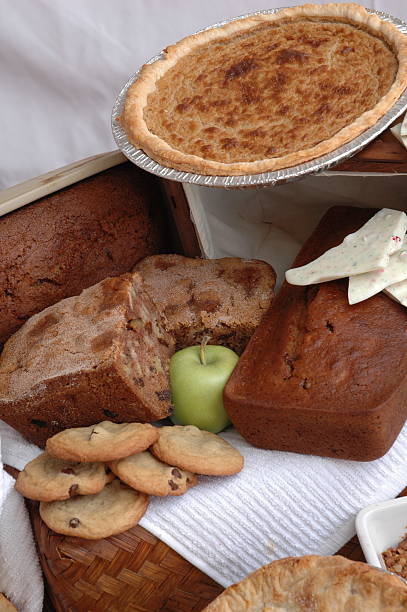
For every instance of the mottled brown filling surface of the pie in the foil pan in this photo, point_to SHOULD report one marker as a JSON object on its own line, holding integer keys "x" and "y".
{"x": 272, "y": 90}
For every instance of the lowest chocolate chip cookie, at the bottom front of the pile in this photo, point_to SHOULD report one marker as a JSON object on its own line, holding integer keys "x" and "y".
{"x": 114, "y": 510}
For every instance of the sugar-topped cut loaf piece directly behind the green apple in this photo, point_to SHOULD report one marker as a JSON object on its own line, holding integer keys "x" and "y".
{"x": 223, "y": 298}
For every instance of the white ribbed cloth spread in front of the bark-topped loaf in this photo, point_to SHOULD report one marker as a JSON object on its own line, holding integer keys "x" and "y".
{"x": 281, "y": 504}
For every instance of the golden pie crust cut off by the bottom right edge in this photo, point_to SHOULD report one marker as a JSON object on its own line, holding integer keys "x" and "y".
{"x": 314, "y": 583}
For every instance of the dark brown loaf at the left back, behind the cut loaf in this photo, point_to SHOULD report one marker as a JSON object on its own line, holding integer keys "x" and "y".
{"x": 76, "y": 237}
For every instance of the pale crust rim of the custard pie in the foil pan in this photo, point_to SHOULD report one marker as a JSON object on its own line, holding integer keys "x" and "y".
{"x": 138, "y": 133}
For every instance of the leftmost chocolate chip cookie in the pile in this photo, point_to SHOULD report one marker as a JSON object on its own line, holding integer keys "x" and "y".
{"x": 47, "y": 478}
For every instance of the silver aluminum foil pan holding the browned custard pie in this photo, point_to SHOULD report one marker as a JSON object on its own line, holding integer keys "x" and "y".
{"x": 319, "y": 164}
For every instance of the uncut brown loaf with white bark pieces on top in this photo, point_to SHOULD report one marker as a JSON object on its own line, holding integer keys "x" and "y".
{"x": 320, "y": 376}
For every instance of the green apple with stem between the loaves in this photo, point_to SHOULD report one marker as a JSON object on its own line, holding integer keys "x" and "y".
{"x": 198, "y": 375}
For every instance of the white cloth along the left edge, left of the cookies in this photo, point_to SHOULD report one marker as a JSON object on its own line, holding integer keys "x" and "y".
{"x": 20, "y": 572}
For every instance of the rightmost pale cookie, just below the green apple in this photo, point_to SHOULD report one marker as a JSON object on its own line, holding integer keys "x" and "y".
{"x": 197, "y": 451}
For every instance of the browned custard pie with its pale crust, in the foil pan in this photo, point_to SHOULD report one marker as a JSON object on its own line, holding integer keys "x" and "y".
{"x": 267, "y": 91}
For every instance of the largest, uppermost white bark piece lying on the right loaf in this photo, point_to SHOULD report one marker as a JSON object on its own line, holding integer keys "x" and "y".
{"x": 367, "y": 249}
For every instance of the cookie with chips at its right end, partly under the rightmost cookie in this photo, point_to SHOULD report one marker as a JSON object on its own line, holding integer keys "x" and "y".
{"x": 146, "y": 473}
